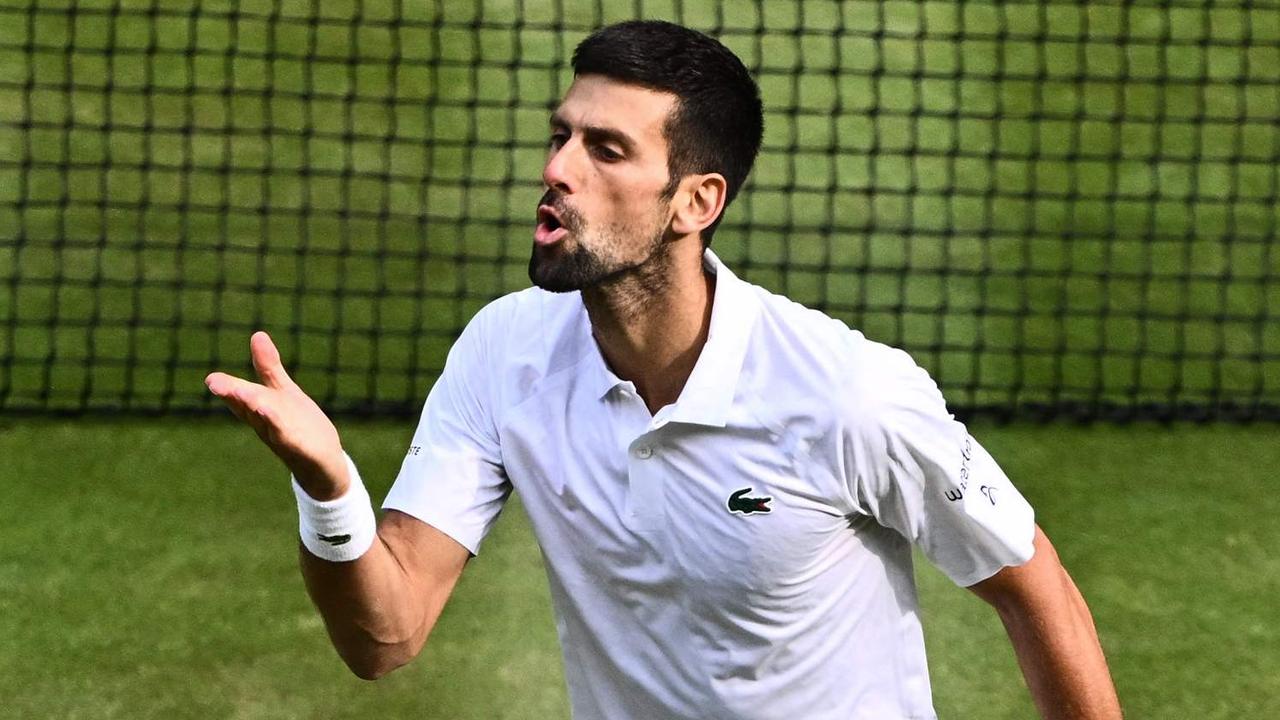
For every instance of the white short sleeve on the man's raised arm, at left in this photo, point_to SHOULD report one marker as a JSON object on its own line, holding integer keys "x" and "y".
{"x": 452, "y": 477}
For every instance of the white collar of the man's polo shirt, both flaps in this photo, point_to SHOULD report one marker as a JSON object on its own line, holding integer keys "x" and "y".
{"x": 708, "y": 394}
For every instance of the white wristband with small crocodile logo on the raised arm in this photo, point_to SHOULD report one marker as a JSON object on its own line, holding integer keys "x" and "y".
{"x": 340, "y": 530}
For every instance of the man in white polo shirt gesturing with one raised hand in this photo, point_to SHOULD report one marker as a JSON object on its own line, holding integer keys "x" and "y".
{"x": 725, "y": 485}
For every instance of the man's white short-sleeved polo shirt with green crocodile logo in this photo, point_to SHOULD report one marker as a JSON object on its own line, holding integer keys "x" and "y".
{"x": 746, "y": 553}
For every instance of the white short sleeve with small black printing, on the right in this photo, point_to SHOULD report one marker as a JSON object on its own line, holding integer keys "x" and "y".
{"x": 920, "y": 472}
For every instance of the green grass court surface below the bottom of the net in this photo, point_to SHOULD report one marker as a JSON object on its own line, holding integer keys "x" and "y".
{"x": 150, "y": 572}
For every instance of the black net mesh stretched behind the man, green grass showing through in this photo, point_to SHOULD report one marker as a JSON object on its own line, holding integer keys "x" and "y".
{"x": 1057, "y": 208}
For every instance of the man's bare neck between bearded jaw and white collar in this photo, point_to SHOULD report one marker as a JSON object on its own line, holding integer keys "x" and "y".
{"x": 652, "y": 325}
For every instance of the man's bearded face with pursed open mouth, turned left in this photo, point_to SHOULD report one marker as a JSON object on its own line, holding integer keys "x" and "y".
{"x": 604, "y": 213}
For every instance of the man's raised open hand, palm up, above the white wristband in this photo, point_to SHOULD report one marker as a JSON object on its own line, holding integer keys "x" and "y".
{"x": 287, "y": 421}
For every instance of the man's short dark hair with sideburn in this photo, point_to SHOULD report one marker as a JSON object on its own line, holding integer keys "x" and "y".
{"x": 719, "y": 120}
